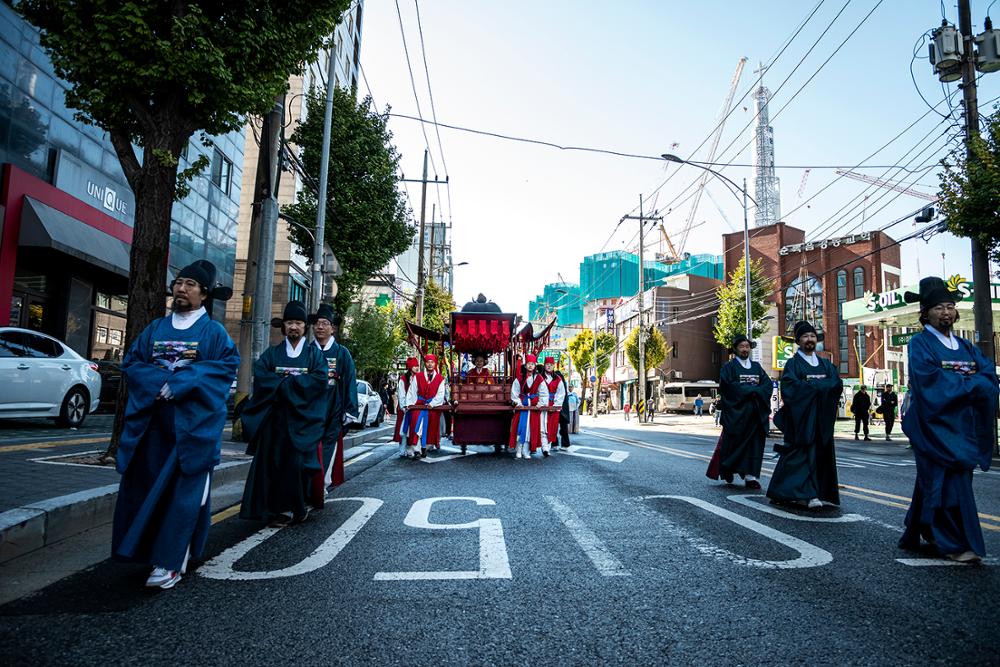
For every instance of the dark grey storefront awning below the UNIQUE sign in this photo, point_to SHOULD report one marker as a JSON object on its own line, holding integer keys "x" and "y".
{"x": 45, "y": 227}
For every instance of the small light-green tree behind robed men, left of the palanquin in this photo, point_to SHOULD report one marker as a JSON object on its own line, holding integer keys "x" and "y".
{"x": 372, "y": 336}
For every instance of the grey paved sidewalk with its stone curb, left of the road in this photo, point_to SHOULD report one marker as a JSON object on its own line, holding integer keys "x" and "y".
{"x": 44, "y": 501}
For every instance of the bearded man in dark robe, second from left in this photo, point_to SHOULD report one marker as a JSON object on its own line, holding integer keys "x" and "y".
{"x": 284, "y": 420}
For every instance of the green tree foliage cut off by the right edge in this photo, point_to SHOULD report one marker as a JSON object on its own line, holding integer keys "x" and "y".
{"x": 969, "y": 196}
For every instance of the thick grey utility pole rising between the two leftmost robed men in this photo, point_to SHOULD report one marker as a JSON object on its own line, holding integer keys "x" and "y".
{"x": 259, "y": 280}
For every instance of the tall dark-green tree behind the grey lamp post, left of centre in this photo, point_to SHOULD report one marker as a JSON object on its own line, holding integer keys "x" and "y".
{"x": 365, "y": 211}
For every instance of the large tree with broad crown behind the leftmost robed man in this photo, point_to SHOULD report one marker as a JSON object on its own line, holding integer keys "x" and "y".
{"x": 151, "y": 74}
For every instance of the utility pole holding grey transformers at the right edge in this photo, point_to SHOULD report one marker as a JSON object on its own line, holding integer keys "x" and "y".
{"x": 982, "y": 308}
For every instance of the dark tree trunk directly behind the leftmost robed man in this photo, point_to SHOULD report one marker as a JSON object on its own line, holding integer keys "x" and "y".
{"x": 153, "y": 184}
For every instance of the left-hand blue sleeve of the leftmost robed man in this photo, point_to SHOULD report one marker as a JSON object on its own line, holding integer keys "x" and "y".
{"x": 144, "y": 380}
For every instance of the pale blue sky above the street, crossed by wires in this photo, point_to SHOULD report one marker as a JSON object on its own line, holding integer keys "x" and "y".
{"x": 649, "y": 78}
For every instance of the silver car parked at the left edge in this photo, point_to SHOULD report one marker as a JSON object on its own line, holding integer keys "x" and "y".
{"x": 42, "y": 377}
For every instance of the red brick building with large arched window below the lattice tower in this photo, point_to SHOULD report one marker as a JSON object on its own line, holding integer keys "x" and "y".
{"x": 813, "y": 281}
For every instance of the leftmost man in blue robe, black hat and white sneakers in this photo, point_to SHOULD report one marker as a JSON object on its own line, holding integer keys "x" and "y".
{"x": 179, "y": 371}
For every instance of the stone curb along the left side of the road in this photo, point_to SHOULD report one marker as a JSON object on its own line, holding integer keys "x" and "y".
{"x": 42, "y": 523}
